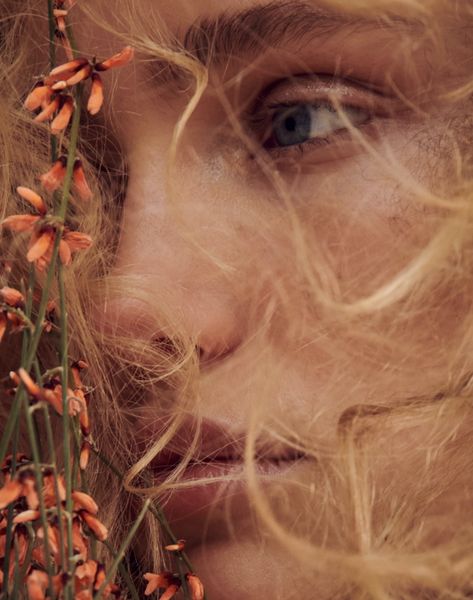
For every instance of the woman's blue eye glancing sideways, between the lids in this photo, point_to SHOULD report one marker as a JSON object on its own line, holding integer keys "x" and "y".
{"x": 295, "y": 125}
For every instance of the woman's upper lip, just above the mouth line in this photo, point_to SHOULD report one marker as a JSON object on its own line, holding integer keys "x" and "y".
{"x": 212, "y": 442}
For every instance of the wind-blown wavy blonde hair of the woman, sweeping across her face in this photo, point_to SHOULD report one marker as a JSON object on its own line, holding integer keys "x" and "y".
{"x": 379, "y": 541}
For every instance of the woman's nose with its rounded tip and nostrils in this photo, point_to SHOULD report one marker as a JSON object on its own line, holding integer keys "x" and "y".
{"x": 168, "y": 285}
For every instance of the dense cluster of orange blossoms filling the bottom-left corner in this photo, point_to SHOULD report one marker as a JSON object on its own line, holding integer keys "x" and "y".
{"x": 40, "y": 549}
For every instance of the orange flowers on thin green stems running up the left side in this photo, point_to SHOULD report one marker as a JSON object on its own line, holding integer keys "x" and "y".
{"x": 48, "y": 522}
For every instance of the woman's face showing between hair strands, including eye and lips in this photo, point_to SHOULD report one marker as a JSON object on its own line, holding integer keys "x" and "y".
{"x": 274, "y": 208}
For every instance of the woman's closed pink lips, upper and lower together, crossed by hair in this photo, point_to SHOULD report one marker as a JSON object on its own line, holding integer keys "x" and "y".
{"x": 215, "y": 476}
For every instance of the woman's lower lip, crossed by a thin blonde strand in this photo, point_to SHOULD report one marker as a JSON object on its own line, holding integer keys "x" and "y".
{"x": 225, "y": 482}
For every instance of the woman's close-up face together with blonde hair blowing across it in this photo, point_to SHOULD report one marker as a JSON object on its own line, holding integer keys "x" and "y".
{"x": 282, "y": 308}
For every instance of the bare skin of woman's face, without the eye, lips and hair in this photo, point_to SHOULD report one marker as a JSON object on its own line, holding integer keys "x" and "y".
{"x": 220, "y": 251}
